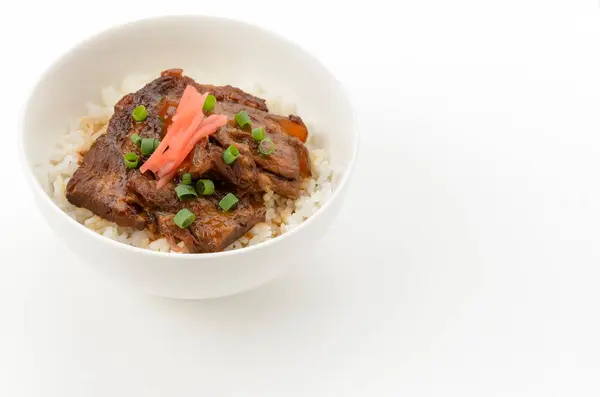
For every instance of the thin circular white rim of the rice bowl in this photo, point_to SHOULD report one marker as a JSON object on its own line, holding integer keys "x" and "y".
{"x": 61, "y": 58}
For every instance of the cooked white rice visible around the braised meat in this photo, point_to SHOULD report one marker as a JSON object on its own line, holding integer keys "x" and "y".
{"x": 282, "y": 214}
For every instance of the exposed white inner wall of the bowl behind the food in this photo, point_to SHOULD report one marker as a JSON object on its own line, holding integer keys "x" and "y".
{"x": 223, "y": 51}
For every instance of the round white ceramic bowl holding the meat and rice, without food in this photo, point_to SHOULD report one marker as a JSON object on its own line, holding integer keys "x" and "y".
{"x": 235, "y": 52}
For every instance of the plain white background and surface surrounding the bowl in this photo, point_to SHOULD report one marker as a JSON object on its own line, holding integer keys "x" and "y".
{"x": 465, "y": 261}
